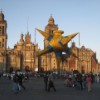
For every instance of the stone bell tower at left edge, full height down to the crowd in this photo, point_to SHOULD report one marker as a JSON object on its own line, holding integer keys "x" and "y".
{"x": 3, "y": 42}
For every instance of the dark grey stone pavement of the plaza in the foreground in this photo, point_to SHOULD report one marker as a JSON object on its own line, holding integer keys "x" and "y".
{"x": 35, "y": 91}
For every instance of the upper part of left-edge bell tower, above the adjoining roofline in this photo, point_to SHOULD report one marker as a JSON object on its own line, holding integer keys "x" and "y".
{"x": 3, "y": 33}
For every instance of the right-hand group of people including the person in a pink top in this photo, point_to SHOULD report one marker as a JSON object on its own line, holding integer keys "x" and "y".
{"x": 81, "y": 81}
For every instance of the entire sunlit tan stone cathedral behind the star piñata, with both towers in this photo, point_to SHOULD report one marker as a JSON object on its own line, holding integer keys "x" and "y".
{"x": 24, "y": 55}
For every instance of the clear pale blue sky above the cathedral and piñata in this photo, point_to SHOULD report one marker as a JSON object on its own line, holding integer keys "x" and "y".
{"x": 72, "y": 16}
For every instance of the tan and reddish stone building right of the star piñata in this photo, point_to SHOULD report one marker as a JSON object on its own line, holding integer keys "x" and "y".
{"x": 87, "y": 61}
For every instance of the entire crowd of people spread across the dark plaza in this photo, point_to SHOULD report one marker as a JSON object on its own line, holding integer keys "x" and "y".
{"x": 78, "y": 81}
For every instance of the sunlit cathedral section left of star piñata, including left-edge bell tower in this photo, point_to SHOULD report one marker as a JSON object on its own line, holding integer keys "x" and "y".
{"x": 22, "y": 56}
